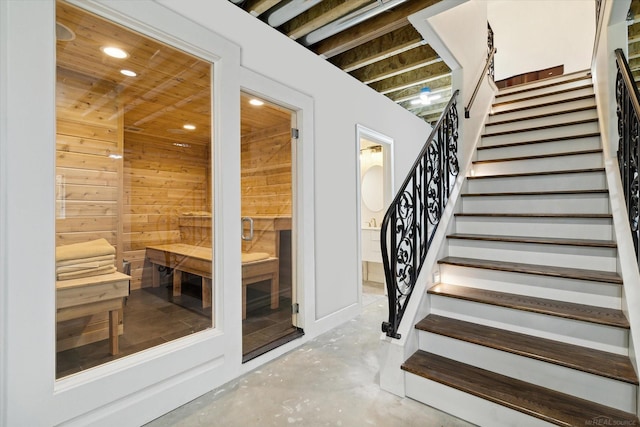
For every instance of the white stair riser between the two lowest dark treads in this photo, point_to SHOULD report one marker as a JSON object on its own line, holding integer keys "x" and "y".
{"x": 595, "y": 388}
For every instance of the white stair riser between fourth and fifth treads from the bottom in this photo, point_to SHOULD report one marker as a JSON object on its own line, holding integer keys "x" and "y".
{"x": 555, "y": 255}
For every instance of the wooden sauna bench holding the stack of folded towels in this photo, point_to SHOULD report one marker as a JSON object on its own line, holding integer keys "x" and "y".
{"x": 87, "y": 296}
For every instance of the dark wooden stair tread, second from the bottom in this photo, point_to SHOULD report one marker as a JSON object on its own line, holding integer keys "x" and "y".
{"x": 597, "y": 362}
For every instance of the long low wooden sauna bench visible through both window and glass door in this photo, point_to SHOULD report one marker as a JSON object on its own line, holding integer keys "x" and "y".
{"x": 256, "y": 267}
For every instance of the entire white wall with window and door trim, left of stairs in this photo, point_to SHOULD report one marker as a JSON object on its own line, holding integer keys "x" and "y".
{"x": 137, "y": 388}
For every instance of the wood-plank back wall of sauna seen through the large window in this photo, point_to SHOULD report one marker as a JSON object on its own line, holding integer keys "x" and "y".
{"x": 162, "y": 180}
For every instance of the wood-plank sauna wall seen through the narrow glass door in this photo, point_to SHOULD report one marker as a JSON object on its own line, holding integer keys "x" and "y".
{"x": 266, "y": 172}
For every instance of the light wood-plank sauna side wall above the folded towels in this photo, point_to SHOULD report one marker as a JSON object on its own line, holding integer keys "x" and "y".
{"x": 89, "y": 126}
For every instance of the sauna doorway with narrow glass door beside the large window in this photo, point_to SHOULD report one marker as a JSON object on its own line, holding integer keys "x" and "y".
{"x": 267, "y": 184}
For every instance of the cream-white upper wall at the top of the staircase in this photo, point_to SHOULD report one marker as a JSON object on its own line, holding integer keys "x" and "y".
{"x": 532, "y": 35}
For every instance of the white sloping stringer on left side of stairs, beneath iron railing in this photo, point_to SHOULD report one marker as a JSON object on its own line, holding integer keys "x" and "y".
{"x": 394, "y": 352}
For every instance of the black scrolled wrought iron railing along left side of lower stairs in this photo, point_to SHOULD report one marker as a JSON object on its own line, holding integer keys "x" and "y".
{"x": 410, "y": 222}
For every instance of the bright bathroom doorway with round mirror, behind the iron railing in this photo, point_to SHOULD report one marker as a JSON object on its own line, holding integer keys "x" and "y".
{"x": 375, "y": 185}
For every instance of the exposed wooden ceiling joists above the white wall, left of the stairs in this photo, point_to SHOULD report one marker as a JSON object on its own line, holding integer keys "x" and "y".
{"x": 372, "y": 40}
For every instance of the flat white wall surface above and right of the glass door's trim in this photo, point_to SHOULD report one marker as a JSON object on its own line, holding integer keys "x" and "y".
{"x": 340, "y": 103}
